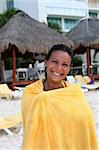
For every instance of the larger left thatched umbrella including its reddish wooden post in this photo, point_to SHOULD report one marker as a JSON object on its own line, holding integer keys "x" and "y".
{"x": 27, "y": 34}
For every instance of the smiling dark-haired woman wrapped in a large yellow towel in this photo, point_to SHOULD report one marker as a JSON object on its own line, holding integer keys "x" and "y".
{"x": 56, "y": 115}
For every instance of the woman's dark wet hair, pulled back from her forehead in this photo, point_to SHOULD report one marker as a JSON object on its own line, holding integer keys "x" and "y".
{"x": 59, "y": 47}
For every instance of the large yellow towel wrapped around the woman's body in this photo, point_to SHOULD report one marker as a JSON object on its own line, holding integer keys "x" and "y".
{"x": 58, "y": 119}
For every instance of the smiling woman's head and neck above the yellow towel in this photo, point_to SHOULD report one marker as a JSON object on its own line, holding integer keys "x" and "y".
{"x": 57, "y": 63}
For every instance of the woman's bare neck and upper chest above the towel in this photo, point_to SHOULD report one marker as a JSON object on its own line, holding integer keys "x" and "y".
{"x": 48, "y": 85}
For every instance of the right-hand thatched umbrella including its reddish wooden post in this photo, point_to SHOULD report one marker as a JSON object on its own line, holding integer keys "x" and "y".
{"x": 85, "y": 36}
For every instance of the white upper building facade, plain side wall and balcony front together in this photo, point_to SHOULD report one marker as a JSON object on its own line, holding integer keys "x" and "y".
{"x": 40, "y": 9}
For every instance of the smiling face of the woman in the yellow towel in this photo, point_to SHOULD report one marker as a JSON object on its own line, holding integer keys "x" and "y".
{"x": 58, "y": 66}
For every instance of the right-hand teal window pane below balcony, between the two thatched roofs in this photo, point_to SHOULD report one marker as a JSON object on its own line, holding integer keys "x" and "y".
{"x": 70, "y": 23}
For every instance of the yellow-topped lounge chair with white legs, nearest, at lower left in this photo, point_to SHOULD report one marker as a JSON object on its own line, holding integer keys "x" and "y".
{"x": 9, "y": 122}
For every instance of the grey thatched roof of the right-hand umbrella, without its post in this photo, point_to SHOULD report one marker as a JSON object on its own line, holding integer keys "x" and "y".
{"x": 85, "y": 33}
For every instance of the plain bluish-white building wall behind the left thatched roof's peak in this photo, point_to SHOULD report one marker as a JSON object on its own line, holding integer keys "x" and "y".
{"x": 34, "y": 8}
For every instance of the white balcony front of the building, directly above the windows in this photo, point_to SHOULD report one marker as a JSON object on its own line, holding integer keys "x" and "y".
{"x": 66, "y": 7}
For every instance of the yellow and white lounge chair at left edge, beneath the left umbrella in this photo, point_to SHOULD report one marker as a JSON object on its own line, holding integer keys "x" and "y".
{"x": 7, "y": 93}
